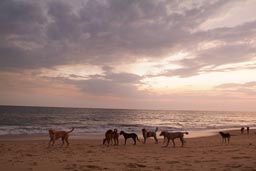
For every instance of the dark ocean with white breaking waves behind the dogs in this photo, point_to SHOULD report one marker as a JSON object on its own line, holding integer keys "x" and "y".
{"x": 21, "y": 120}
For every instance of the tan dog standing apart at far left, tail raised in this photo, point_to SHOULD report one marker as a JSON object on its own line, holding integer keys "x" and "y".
{"x": 55, "y": 135}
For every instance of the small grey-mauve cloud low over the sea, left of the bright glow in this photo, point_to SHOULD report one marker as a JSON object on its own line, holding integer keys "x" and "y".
{"x": 110, "y": 84}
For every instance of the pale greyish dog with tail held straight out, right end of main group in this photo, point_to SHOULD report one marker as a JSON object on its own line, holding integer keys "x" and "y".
{"x": 172, "y": 136}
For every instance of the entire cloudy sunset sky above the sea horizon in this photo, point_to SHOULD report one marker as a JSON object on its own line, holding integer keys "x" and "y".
{"x": 132, "y": 54}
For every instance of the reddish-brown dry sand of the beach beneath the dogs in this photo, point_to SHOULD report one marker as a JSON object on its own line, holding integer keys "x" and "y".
{"x": 199, "y": 154}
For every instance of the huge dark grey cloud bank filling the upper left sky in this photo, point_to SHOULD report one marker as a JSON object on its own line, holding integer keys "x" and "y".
{"x": 59, "y": 32}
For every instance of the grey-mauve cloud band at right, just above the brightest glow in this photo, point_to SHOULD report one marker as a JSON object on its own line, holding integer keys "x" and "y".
{"x": 236, "y": 49}
